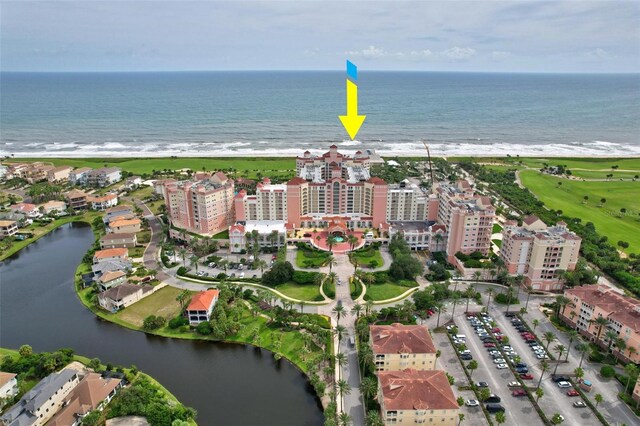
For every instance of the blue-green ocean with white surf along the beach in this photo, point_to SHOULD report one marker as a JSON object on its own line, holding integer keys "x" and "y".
{"x": 283, "y": 113}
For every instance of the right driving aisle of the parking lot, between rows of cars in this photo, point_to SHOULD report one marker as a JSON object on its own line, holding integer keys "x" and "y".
{"x": 555, "y": 399}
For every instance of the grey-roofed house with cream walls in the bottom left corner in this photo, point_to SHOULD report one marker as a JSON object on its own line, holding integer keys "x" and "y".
{"x": 38, "y": 405}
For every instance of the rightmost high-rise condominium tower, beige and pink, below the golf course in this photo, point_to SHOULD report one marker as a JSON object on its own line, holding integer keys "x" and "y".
{"x": 538, "y": 252}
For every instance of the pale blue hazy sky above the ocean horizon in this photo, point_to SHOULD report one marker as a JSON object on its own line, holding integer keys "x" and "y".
{"x": 522, "y": 36}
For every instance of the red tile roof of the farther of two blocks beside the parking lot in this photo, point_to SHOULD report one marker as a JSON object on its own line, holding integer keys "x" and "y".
{"x": 398, "y": 338}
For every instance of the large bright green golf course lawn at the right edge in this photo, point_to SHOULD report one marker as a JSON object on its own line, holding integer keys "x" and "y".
{"x": 608, "y": 219}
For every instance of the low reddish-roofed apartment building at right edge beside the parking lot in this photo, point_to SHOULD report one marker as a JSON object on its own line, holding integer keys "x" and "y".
{"x": 590, "y": 302}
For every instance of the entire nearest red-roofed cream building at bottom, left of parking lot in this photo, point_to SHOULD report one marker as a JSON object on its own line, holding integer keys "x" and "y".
{"x": 412, "y": 396}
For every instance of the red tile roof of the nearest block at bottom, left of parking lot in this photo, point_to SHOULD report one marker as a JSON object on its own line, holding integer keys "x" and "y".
{"x": 416, "y": 390}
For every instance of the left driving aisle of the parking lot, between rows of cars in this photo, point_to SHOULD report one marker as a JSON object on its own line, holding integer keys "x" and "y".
{"x": 516, "y": 408}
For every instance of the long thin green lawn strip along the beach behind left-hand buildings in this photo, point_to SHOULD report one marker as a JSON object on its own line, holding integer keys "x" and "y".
{"x": 265, "y": 165}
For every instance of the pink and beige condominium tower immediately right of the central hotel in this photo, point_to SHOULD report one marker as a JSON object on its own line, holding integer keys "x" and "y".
{"x": 467, "y": 216}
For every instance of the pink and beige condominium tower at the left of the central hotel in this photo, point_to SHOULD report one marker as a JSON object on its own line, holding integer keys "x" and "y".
{"x": 202, "y": 206}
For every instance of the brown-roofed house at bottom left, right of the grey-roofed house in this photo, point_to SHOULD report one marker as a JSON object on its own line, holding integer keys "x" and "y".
{"x": 92, "y": 393}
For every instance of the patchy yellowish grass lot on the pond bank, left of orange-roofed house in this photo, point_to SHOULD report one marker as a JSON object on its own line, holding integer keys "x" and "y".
{"x": 161, "y": 303}
